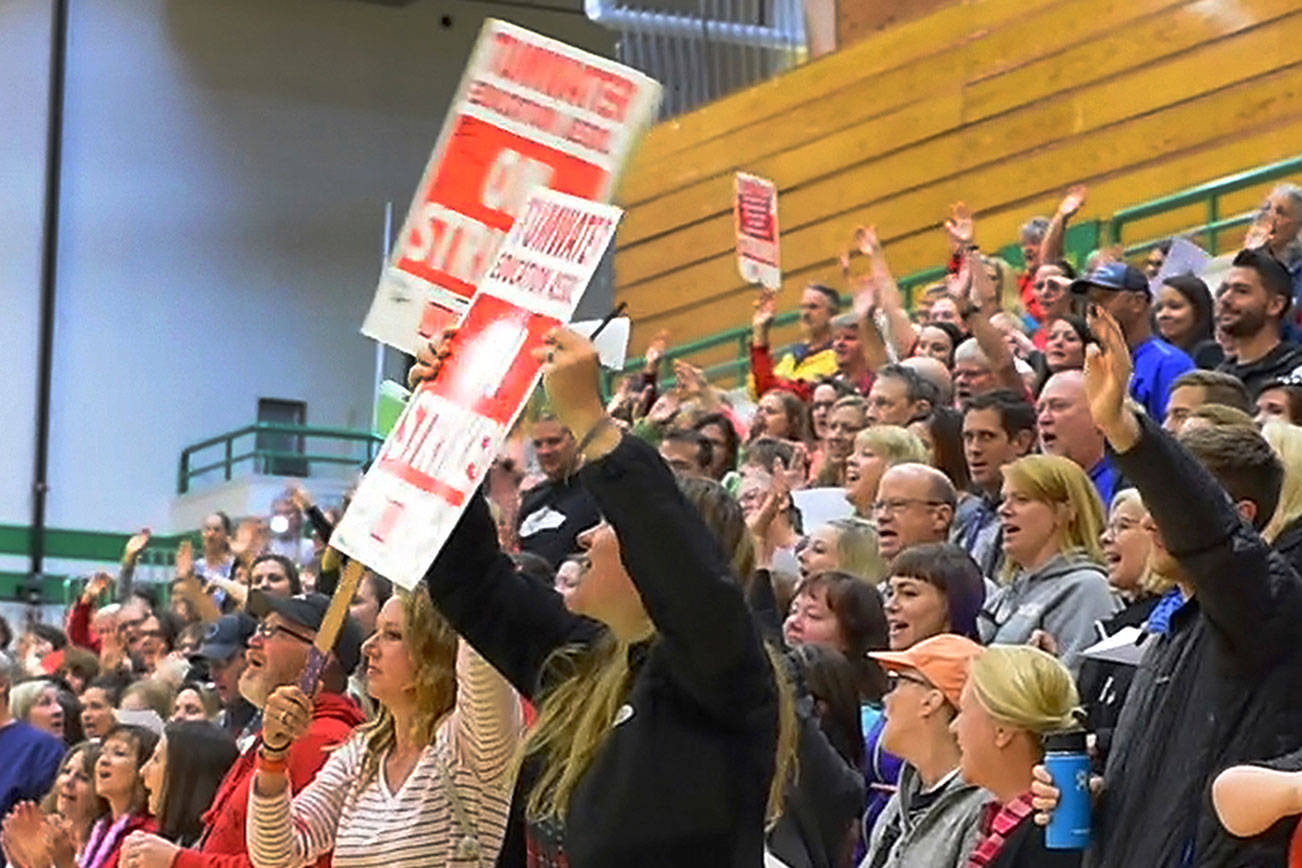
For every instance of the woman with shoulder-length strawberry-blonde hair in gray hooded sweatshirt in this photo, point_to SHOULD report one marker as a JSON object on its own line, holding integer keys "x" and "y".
{"x": 1055, "y": 589}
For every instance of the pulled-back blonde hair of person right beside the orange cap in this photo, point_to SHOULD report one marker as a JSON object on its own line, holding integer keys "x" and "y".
{"x": 1025, "y": 688}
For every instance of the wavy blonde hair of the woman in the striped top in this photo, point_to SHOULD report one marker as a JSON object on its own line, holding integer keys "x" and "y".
{"x": 433, "y": 646}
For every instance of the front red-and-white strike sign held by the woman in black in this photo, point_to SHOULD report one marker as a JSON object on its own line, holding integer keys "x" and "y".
{"x": 455, "y": 425}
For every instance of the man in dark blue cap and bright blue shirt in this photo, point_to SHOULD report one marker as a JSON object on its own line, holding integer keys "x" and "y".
{"x": 1123, "y": 292}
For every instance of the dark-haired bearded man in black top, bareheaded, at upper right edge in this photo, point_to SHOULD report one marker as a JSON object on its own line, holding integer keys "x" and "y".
{"x": 1251, "y": 306}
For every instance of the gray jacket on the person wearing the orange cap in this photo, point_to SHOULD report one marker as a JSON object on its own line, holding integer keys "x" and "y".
{"x": 943, "y": 836}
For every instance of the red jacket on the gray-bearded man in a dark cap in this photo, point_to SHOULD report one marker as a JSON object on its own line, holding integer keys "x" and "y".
{"x": 223, "y": 844}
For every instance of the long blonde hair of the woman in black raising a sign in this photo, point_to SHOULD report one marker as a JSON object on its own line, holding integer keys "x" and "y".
{"x": 577, "y": 716}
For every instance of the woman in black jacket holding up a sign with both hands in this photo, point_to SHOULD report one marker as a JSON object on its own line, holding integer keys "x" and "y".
{"x": 658, "y": 732}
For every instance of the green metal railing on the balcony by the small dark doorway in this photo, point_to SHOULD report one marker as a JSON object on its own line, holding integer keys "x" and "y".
{"x": 231, "y": 456}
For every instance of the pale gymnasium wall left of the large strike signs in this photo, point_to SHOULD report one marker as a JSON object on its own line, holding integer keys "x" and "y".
{"x": 226, "y": 171}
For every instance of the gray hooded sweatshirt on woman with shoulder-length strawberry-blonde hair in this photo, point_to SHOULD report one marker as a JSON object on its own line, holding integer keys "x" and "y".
{"x": 1064, "y": 599}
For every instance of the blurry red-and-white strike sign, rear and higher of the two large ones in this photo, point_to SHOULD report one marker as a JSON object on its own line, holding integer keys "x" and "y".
{"x": 531, "y": 113}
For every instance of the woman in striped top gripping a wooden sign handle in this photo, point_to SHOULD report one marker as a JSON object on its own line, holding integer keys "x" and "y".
{"x": 428, "y": 783}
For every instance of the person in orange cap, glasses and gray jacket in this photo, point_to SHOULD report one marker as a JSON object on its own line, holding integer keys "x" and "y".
{"x": 933, "y": 817}
